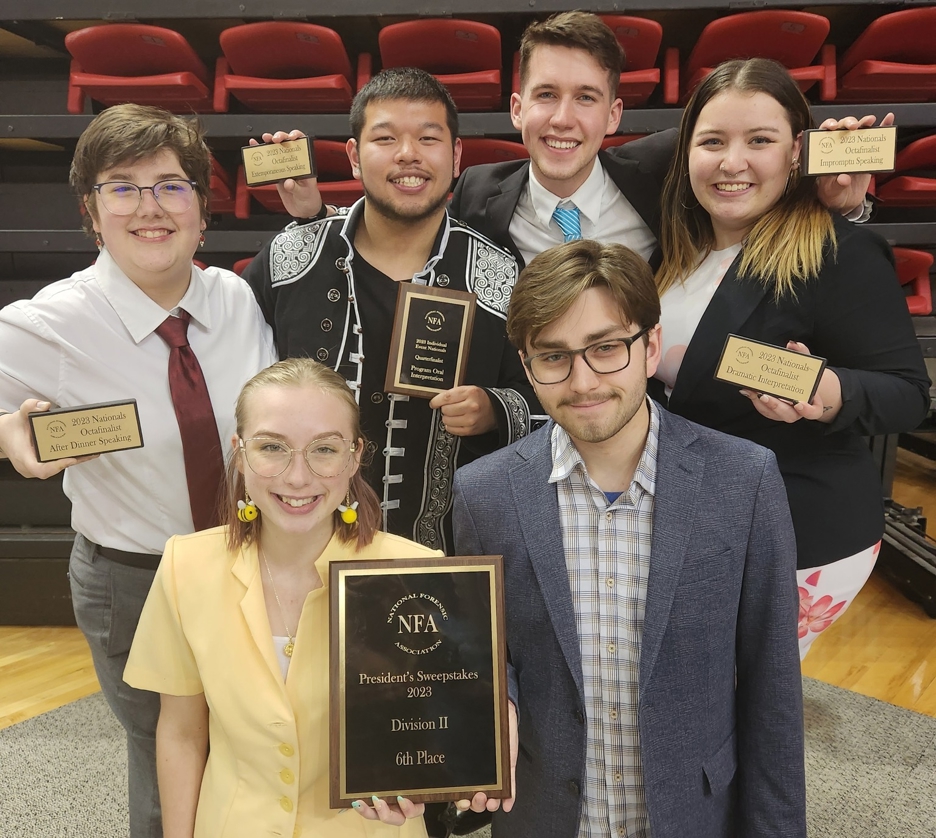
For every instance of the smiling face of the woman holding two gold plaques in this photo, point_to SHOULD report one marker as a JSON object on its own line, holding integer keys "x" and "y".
{"x": 740, "y": 156}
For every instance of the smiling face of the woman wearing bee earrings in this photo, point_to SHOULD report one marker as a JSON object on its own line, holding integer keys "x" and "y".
{"x": 297, "y": 501}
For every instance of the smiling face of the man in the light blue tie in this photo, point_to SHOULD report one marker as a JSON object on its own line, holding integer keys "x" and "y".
{"x": 563, "y": 113}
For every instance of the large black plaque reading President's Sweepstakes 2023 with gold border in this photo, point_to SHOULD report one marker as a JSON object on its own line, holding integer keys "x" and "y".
{"x": 418, "y": 698}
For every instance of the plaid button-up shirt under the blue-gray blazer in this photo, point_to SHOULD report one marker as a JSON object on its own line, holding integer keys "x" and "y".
{"x": 607, "y": 549}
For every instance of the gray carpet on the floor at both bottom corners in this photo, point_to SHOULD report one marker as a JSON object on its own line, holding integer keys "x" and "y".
{"x": 871, "y": 771}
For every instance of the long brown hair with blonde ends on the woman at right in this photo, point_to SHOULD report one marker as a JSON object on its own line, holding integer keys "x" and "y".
{"x": 787, "y": 244}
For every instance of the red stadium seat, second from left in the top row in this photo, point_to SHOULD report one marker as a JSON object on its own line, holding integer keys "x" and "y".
{"x": 279, "y": 67}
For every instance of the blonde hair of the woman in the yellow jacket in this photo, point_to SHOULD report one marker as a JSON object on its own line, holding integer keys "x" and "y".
{"x": 300, "y": 372}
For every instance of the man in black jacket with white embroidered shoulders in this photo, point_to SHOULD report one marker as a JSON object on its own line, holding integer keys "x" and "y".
{"x": 328, "y": 288}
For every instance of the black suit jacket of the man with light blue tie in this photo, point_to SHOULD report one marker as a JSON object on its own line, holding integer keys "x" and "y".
{"x": 486, "y": 196}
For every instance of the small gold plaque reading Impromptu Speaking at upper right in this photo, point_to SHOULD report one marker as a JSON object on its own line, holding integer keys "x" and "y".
{"x": 862, "y": 150}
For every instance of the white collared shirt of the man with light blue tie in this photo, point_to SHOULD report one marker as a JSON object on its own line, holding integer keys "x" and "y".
{"x": 606, "y": 216}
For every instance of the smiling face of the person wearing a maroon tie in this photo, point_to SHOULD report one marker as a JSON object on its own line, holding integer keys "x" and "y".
{"x": 152, "y": 247}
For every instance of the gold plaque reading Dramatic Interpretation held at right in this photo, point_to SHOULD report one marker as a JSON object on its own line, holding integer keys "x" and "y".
{"x": 764, "y": 368}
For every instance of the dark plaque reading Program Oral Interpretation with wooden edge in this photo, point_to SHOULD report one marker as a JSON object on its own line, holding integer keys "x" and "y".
{"x": 430, "y": 341}
